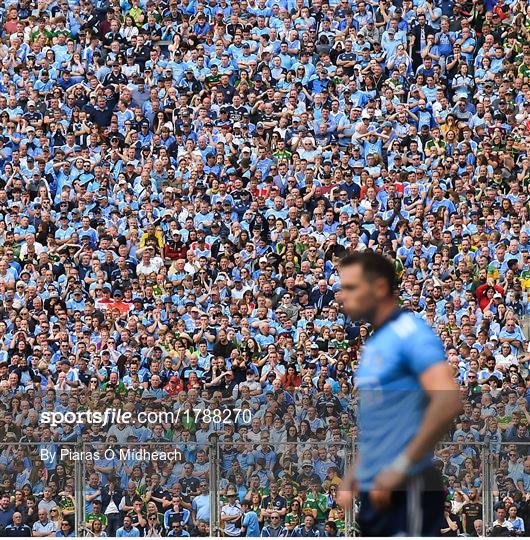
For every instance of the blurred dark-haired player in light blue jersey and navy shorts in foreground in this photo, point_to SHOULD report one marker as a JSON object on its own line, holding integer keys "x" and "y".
{"x": 408, "y": 400}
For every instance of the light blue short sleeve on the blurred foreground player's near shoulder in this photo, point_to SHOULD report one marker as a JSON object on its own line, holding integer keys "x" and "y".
{"x": 422, "y": 348}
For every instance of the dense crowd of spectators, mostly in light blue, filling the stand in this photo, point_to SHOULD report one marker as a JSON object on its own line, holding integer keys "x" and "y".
{"x": 178, "y": 181}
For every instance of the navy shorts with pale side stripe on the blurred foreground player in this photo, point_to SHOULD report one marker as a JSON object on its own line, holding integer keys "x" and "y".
{"x": 416, "y": 510}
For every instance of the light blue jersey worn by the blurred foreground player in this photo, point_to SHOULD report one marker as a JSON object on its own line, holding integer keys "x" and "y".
{"x": 392, "y": 401}
